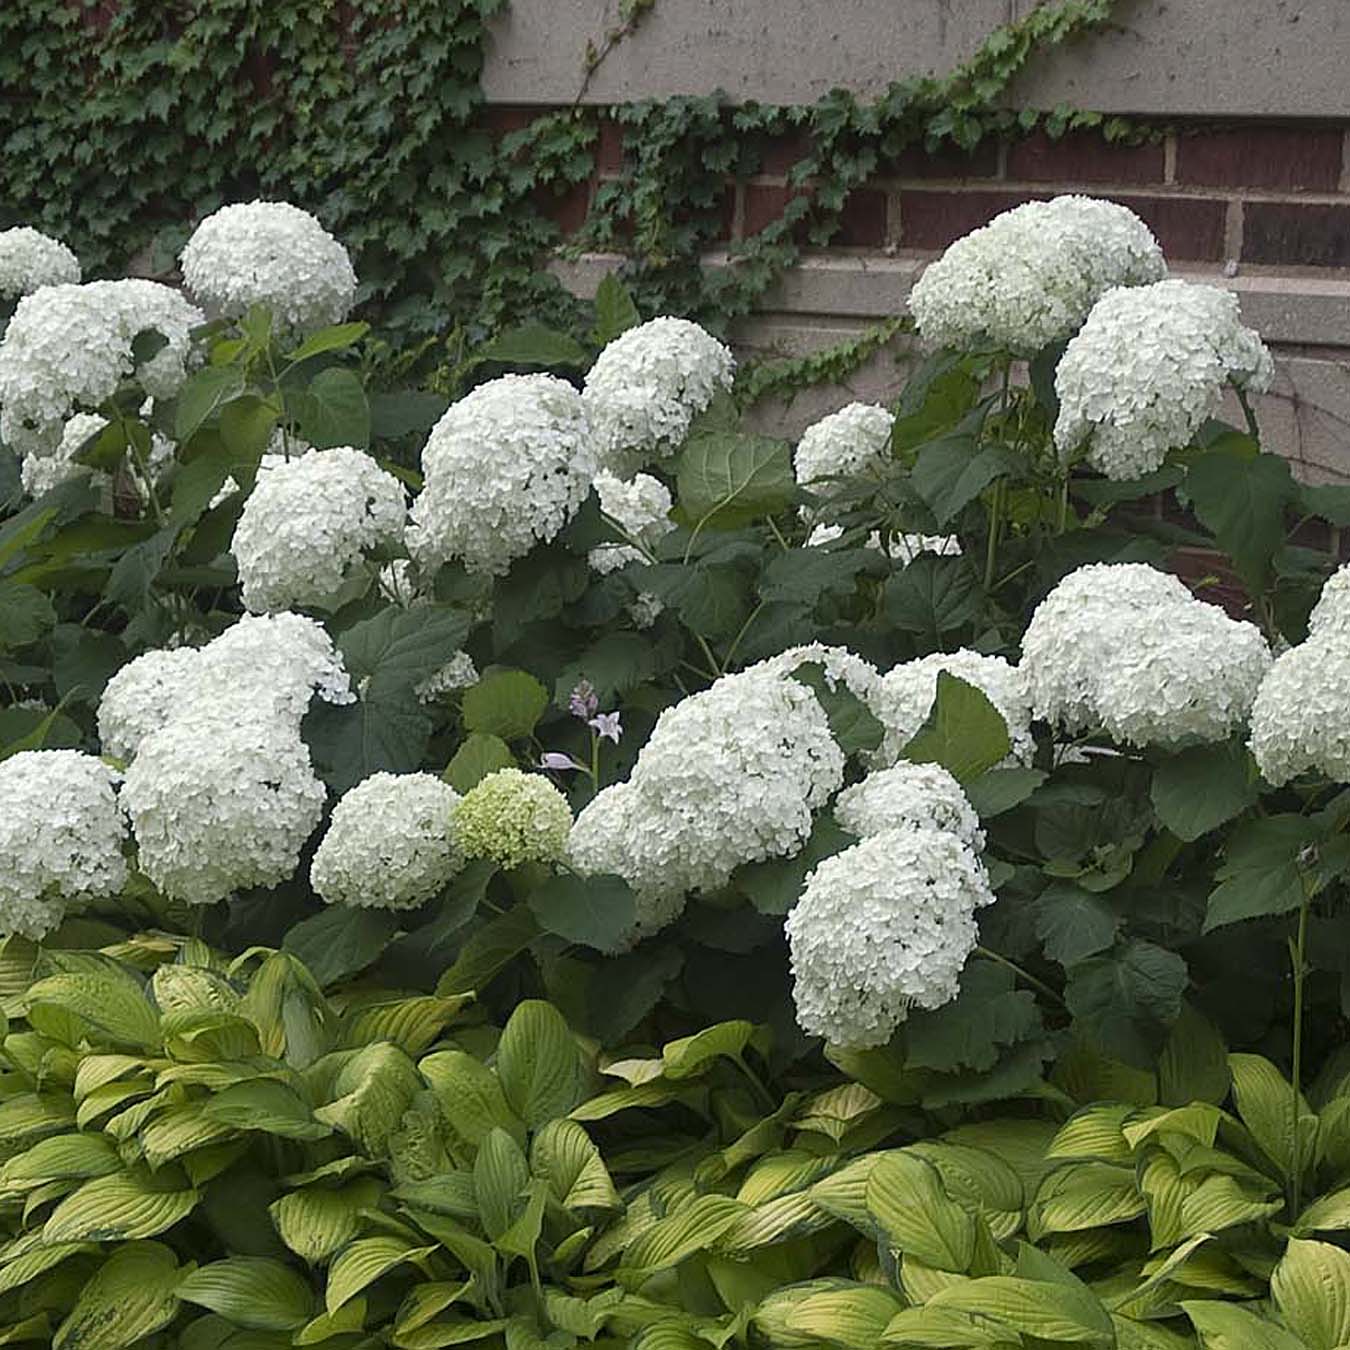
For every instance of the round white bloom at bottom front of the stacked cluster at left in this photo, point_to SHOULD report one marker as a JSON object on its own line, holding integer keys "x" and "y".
{"x": 222, "y": 799}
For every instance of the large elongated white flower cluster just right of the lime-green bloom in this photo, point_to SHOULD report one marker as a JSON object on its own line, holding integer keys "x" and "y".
{"x": 730, "y": 776}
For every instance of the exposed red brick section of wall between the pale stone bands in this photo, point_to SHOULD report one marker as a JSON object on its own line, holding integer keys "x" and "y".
{"x": 1275, "y": 194}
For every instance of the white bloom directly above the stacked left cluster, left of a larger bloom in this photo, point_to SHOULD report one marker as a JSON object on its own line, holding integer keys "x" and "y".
{"x": 310, "y": 522}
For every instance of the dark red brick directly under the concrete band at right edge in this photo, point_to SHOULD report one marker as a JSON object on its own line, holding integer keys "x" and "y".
{"x": 1283, "y": 159}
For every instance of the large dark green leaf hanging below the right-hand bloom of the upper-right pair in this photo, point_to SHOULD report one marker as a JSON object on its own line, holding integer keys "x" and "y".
{"x": 1243, "y": 502}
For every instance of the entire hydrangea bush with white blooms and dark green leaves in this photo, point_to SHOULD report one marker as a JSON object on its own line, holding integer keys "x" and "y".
{"x": 908, "y": 743}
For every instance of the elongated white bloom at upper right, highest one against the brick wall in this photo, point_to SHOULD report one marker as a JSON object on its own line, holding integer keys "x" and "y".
{"x": 1031, "y": 276}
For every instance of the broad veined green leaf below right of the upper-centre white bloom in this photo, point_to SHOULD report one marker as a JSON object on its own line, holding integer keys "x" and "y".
{"x": 727, "y": 480}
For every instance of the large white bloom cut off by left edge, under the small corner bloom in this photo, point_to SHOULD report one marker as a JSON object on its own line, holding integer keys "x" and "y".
{"x": 70, "y": 348}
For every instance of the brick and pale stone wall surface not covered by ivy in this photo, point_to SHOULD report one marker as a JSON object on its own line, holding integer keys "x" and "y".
{"x": 1247, "y": 182}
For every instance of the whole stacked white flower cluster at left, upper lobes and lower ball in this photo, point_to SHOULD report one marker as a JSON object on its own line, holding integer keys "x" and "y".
{"x": 221, "y": 792}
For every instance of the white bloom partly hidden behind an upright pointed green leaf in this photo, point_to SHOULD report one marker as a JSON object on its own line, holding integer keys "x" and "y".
{"x": 909, "y": 691}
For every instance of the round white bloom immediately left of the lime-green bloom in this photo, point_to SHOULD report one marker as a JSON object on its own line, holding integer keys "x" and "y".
{"x": 388, "y": 846}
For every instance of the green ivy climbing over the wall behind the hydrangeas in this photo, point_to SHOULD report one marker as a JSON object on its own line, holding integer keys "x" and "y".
{"x": 125, "y": 122}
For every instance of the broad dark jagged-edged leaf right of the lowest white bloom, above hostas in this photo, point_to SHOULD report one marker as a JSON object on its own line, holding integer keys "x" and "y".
{"x": 1125, "y": 1002}
